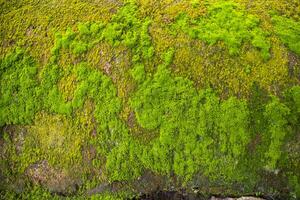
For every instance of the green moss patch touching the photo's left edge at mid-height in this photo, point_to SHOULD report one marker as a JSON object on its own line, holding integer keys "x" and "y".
{"x": 19, "y": 96}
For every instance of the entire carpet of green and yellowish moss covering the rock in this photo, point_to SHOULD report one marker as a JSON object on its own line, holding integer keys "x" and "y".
{"x": 189, "y": 102}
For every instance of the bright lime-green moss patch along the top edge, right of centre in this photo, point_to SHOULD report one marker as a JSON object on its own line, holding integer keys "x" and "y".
{"x": 227, "y": 22}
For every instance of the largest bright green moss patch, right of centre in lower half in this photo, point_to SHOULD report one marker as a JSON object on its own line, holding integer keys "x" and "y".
{"x": 189, "y": 123}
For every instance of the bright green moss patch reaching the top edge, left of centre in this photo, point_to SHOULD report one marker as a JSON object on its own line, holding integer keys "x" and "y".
{"x": 125, "y": 28}
